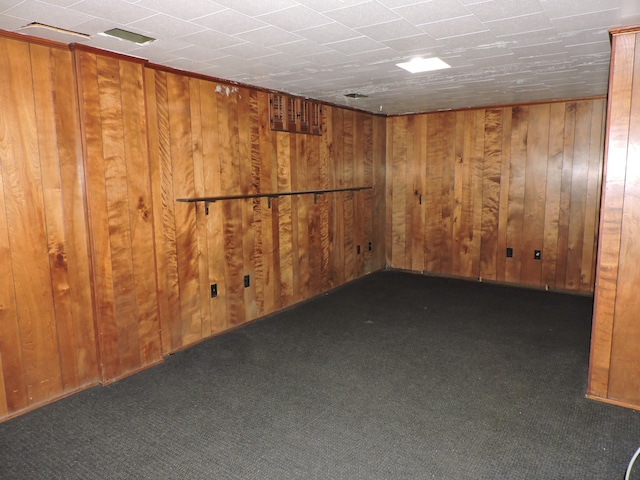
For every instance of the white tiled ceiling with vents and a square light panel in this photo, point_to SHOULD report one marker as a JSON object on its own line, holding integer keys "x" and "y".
{"x": 500, "y": 51}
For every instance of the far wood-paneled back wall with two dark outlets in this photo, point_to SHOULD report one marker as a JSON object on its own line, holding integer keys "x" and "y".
{"x": 464, "y": 186}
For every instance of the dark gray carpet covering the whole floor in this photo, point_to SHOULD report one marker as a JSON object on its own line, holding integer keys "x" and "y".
{"x": 395, "y": 376}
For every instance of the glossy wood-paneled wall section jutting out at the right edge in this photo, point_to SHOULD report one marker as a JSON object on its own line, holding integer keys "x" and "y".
{"x": 614, "y": 374}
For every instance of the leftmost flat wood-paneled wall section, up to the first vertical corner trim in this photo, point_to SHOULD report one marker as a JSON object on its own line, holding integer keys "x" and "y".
{"x": 47, "y": 339}
